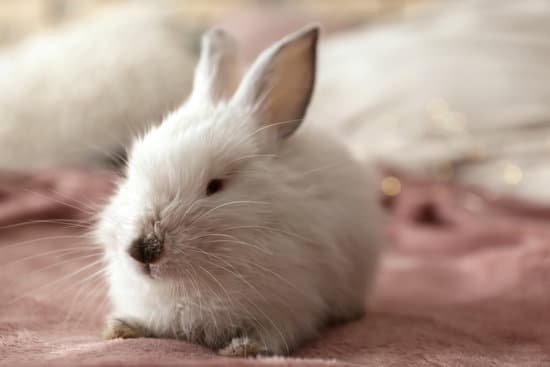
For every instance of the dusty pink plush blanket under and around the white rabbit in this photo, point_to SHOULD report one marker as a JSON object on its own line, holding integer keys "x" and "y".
{"x": 464, "y": 281}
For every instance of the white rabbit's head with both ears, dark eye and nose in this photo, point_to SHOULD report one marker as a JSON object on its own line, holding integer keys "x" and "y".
{"x": 210, "y": 173}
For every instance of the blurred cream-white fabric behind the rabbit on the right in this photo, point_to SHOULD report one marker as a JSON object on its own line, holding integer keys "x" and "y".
{"x": 460, "y": 92}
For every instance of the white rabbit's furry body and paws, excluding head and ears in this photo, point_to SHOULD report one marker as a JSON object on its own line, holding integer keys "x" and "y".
{"x": 314, "y": 268}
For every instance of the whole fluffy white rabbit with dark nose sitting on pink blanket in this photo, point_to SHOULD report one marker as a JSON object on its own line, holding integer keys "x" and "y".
{"x": 231, "y": 228}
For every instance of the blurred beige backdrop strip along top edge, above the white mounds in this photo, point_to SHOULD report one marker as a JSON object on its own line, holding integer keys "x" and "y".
{"x": 21, "y": 18}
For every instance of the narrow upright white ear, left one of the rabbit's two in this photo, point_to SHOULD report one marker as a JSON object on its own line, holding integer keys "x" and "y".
{"x": 218, "y": 71}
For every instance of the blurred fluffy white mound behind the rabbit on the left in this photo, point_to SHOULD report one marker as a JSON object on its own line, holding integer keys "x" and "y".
{"x": 81, "y": 92}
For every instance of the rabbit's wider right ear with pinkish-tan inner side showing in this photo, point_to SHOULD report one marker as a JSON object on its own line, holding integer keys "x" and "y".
{"x": 279, "y": 85}
